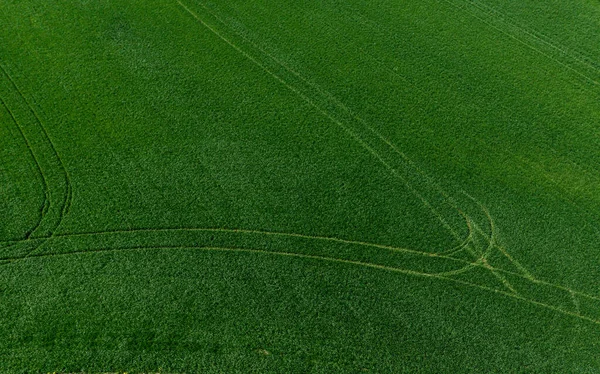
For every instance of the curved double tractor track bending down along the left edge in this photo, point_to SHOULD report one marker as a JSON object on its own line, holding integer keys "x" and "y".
{"x": 56, "y": 184}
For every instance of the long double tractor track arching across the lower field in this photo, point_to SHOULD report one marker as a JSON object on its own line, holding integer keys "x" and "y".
{"x": 576, "y": 297}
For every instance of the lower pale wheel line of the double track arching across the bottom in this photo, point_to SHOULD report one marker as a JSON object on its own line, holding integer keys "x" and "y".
{"x": 347, "y": 262}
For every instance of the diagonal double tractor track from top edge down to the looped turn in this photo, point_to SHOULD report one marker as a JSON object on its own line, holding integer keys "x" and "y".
{"x": 398, "y": 164}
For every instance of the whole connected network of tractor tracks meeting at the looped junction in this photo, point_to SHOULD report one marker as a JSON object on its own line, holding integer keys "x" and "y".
{"x": 471, "y": 256}
